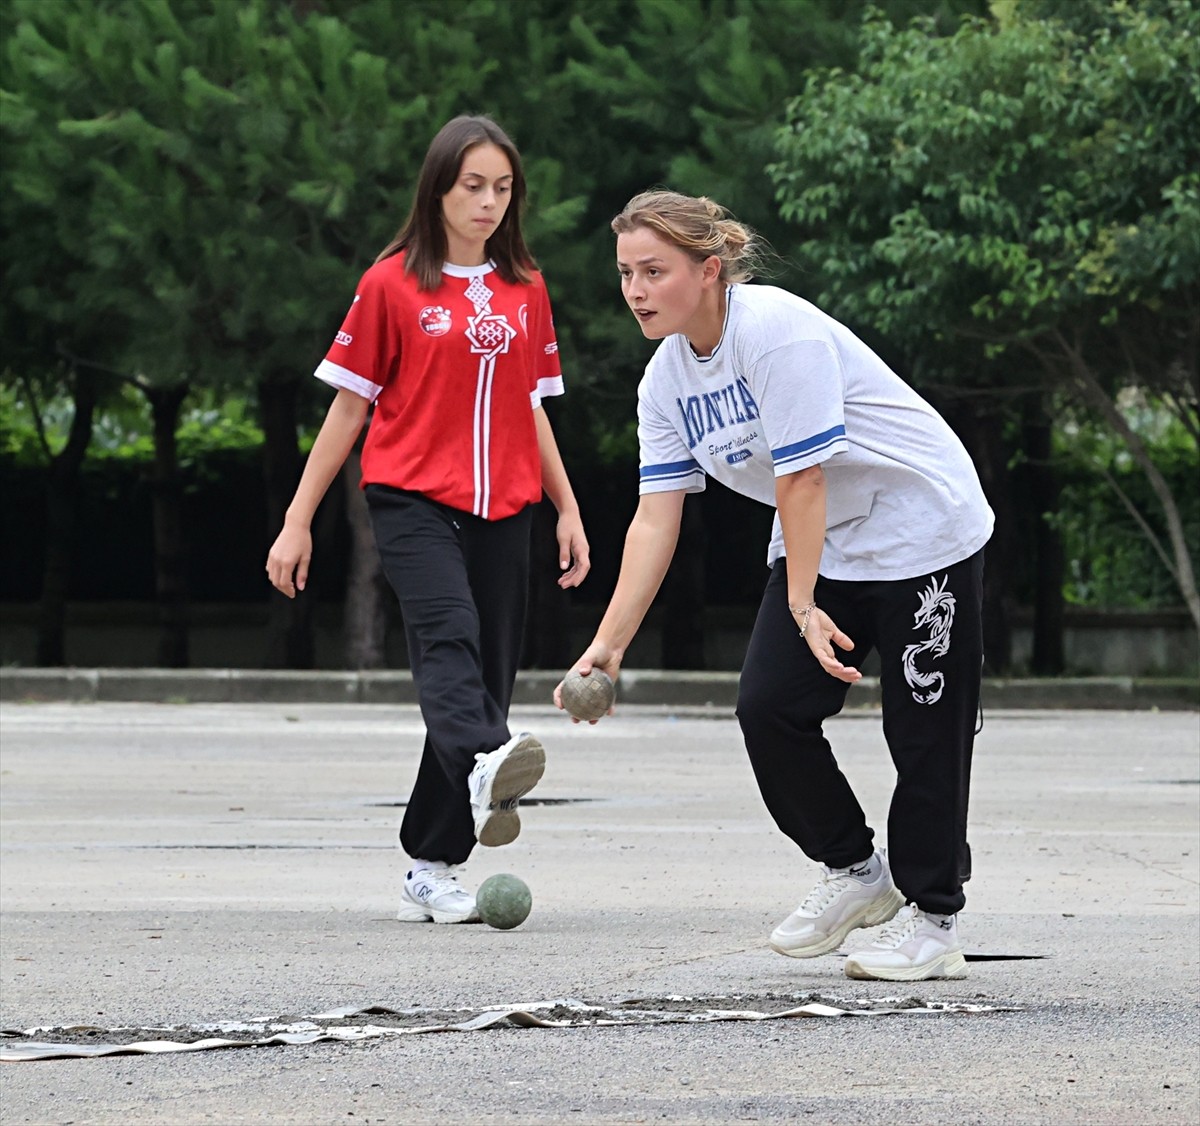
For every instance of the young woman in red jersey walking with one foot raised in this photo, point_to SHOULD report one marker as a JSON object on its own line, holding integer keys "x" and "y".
{"x": 451, "y": 337}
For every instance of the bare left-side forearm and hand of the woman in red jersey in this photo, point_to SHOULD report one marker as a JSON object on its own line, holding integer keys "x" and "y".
{"x": 287, "y": 562}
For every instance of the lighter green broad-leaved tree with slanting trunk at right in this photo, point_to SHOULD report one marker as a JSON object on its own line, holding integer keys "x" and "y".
{"x": 1021, "y": 203}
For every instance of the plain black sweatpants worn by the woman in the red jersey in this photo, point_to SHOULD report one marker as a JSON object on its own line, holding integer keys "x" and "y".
{"x": 463, "y": 585}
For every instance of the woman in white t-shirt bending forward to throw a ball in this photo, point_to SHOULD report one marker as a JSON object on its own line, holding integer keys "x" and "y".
{"x": 878, "y": 544}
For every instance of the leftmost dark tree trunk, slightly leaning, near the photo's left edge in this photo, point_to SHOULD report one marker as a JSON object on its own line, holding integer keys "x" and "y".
{"x": 62, "y": 489}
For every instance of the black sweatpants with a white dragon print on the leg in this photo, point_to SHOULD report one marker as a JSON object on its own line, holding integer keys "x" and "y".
{"x": 929, "y": 636}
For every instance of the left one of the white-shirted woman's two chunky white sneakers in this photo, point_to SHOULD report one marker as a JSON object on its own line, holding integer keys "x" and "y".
{"x": 842, "y": 902}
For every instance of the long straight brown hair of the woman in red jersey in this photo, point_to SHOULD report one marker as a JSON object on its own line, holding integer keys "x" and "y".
{"x": 424, "y": 233}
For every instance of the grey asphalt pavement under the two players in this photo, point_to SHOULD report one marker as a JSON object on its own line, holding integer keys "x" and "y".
{"x": 176, "y": 871}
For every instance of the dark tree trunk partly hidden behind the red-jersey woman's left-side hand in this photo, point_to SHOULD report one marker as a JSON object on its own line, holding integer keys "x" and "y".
{"x": 290, "y": 631}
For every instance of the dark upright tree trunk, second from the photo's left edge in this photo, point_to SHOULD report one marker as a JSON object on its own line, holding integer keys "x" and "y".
{"x": 170, "y": 556}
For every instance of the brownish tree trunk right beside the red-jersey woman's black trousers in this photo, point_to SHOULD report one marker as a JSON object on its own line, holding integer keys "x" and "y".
{"x": 365, "y": 615}
